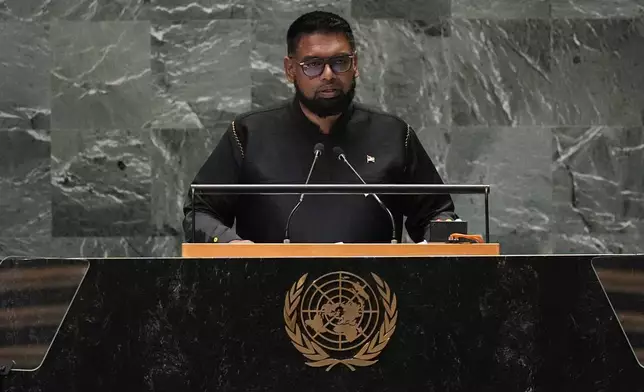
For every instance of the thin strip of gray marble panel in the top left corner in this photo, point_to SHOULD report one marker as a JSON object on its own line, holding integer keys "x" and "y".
{"x": 48, "y": 10}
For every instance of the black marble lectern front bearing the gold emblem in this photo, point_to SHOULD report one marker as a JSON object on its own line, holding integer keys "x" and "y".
{"x": 517, "y": 323}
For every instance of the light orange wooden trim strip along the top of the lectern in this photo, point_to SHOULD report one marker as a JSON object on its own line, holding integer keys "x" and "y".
{"x": 246, "y": 250}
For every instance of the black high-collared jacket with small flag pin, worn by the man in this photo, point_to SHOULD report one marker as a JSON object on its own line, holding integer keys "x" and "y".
{"x": 275, "y": 146}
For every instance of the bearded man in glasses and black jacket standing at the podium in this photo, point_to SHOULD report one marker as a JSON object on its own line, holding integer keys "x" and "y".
{"x": 350, "y": 142}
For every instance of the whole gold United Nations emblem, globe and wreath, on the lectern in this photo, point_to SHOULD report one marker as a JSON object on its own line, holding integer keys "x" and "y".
{"x": 339, "y": 313}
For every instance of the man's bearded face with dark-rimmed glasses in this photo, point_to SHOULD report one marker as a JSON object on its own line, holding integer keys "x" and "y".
{"x": 318, "y": 87}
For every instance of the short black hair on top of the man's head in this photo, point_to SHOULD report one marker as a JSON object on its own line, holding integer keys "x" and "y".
{"x": 317, "y": 22}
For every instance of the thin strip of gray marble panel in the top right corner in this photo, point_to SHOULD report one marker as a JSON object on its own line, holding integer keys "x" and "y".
{"x": 594, "y": 9}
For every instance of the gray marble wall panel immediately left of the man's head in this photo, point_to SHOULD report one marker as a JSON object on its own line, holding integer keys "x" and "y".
{"x": 269, "y": 83}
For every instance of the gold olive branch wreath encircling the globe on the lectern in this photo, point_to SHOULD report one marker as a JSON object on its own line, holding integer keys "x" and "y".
{"x": 317, "y": 356}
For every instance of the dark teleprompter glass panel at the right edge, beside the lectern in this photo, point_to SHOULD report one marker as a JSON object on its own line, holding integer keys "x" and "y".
{"x": 622, "y": 279}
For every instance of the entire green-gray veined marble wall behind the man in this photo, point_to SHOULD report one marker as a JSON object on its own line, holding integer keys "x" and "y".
{"x": 108, "y": 108}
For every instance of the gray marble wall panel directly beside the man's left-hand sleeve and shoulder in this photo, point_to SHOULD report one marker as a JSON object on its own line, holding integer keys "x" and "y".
{"x": 177, "y": 155}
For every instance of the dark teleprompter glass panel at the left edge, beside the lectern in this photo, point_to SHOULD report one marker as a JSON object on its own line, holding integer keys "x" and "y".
{"x": 35, "y": 295}
